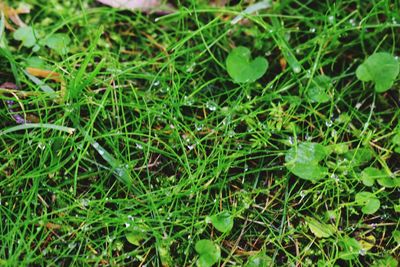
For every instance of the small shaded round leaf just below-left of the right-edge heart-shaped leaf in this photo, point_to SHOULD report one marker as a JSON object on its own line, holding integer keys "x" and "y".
{"x": 317, "y": 92}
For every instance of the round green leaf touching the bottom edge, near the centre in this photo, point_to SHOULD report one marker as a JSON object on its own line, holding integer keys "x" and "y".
{"x": 209, "y": 253}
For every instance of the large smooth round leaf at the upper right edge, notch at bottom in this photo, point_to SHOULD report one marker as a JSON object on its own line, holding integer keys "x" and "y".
{"x": 380, "y": 68}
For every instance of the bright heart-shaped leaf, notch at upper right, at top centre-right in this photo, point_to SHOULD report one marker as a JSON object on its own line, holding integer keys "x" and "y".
{"x": 242, "y": 69}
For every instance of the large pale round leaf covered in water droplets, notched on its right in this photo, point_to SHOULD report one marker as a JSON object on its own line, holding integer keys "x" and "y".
{"x": 303, "y": 161}
